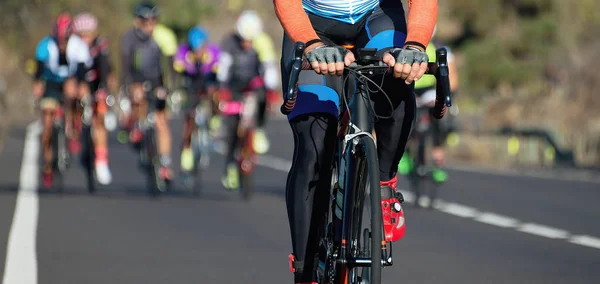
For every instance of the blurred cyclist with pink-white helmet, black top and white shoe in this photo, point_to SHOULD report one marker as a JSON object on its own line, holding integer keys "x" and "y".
{"x": 99, "y": 77}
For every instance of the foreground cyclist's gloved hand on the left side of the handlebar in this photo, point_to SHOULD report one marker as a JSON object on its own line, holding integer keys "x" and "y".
{"x": 328, "y": 60}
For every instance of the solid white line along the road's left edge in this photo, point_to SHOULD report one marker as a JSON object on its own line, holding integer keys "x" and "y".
{"x": 21, "y": 258}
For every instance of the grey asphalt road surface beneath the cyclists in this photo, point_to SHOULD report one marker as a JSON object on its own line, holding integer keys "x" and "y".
{"x": 489, "y": 228}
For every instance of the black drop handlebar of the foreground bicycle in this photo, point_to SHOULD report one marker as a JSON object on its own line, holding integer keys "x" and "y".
{"x": 370, "y": 65}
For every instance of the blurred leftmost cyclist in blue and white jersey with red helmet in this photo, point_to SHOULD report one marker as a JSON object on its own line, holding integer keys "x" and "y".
{"x": 62, "y": 60}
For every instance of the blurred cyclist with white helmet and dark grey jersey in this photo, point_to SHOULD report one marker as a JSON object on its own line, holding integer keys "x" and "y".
{"x": 239, "y": 71}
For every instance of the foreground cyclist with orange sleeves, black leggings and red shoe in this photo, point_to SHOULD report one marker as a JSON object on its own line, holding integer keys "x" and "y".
{"x": 324, "y": 26}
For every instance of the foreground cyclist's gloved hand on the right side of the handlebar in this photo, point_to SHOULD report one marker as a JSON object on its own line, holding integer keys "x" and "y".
{"x": 410, "y": 63}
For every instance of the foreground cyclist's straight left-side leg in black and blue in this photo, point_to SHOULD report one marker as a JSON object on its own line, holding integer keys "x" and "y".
{"x": 314, "y": 126}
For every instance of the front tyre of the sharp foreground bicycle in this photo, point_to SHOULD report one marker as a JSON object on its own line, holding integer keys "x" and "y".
{"x": 367, "y": 174}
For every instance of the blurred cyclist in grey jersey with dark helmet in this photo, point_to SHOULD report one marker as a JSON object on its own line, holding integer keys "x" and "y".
{"x": 141, "y": 64}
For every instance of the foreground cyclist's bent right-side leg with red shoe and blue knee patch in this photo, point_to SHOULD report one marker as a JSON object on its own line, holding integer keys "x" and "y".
{"x": 386, "y": 28}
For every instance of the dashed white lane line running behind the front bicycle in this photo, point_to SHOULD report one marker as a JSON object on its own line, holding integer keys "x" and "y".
{"x": 464, "y": 211}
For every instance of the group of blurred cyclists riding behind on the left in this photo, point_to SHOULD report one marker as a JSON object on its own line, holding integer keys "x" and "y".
{"x": 81, "y": 66}
